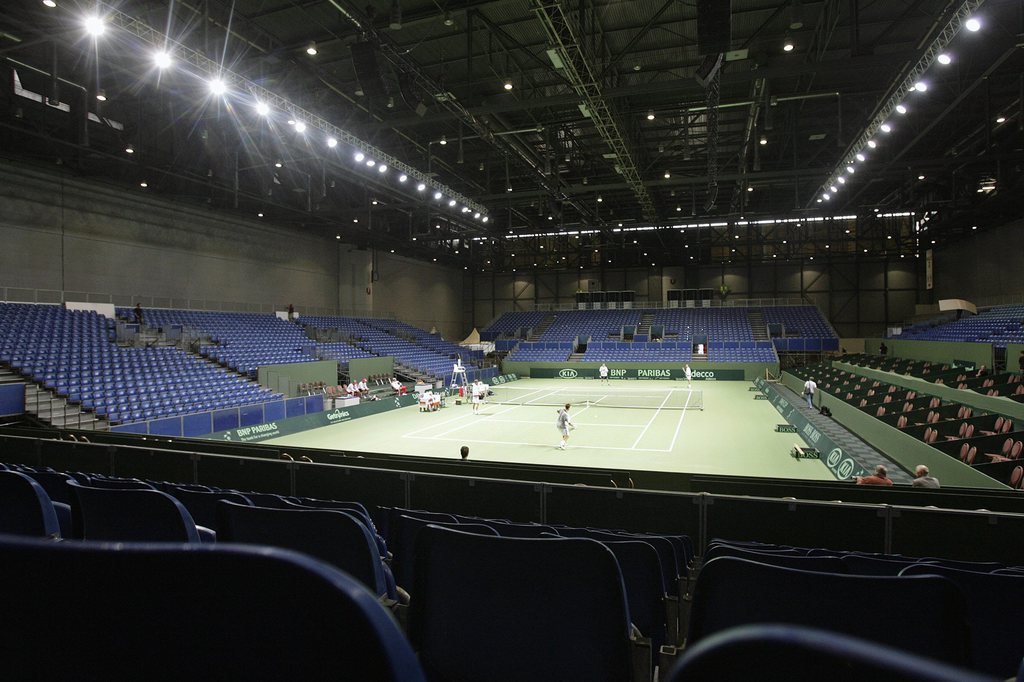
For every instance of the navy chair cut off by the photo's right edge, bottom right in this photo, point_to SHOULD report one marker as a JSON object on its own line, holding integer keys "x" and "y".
{"x": 997, "y": 629}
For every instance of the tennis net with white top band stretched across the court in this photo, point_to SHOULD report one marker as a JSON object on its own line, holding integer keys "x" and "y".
{"x": 674, "y": 399}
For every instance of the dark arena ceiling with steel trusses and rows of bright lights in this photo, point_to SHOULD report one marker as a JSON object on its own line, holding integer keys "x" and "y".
{"x": 632, "y": 130}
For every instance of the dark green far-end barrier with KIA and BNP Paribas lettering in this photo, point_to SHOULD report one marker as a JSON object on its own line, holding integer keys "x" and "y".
{"x": 673, "y": 371}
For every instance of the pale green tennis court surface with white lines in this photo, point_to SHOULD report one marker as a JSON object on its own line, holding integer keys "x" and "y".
{"x": 734, "y": 435}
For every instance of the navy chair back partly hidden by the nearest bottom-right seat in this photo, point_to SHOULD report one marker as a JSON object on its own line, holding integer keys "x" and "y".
{"x": 924, "y": 615}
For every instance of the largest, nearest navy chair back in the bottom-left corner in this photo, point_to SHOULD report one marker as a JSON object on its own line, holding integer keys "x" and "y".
{"x": 191, "y": 612}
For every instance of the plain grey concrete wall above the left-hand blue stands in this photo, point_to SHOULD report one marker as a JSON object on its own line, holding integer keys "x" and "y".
{"x": 63, "y": 234}
